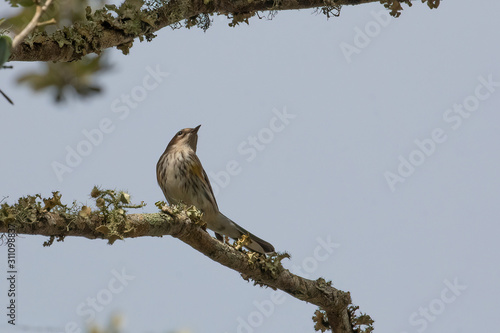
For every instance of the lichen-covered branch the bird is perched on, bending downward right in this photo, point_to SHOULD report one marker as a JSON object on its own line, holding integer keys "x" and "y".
{"x": 34, "y": 215}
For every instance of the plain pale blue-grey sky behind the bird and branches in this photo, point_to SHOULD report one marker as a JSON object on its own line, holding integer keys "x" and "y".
{"x": 420, "y": 255}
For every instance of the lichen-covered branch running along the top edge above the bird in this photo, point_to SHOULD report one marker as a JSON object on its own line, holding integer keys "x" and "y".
{"x": 118, "y": 26}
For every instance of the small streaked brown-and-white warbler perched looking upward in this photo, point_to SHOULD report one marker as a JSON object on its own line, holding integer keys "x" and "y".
{"x": 182, "y": 179}
